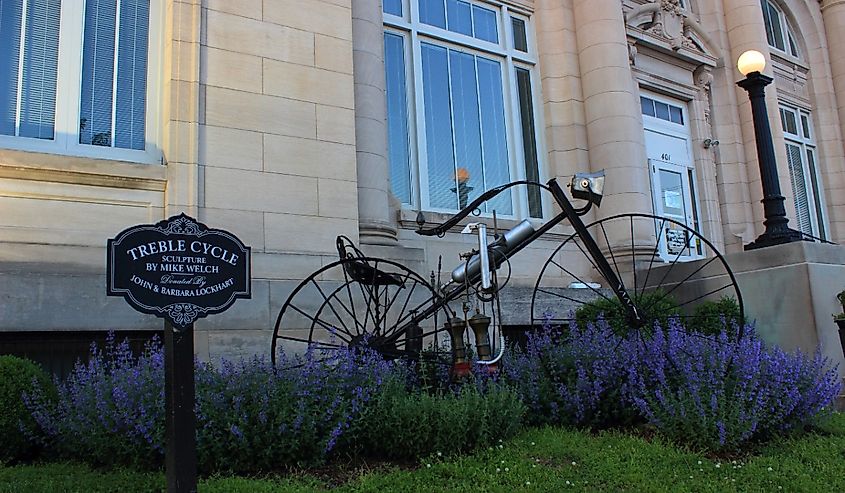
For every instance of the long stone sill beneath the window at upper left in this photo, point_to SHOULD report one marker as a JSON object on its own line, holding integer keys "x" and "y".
{"x": 35, "y": 166}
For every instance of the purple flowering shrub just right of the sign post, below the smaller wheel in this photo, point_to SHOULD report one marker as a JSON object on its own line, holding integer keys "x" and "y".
{"x": 254, "y": 417}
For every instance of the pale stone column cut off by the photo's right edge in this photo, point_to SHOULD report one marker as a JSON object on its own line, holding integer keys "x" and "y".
{"x": 833, "y": 14}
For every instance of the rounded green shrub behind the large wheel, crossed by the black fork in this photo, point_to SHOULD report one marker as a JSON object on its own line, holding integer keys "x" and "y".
{"x": 655, "y": 306}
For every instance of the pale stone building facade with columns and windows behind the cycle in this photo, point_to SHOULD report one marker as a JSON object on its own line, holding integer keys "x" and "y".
{"x": 288, "y": 122}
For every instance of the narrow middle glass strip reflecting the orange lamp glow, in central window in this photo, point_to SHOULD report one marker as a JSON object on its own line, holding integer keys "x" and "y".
{"x": 467, "y": 127}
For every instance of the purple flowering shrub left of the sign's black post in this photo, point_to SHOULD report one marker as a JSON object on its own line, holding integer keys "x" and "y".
{"x": 110, "y": 410}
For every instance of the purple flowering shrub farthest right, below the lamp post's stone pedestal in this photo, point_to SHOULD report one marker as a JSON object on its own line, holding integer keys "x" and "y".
{"x": 720, "y": 393}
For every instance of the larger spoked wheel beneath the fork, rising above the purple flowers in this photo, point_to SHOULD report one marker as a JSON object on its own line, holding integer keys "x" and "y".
{"x": 666, "y": 268}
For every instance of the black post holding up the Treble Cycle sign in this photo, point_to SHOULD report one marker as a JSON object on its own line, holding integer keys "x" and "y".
{"x": 180, "y": 453}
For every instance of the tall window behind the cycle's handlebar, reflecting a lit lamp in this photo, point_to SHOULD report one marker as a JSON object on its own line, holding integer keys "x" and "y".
{"x": 460, "y": 101}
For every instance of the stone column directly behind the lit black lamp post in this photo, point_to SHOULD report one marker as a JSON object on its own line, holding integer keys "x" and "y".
{"x": 746, "y": 31}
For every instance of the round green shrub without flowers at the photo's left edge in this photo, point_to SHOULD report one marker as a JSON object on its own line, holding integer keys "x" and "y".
{"x": 16, "y": 377}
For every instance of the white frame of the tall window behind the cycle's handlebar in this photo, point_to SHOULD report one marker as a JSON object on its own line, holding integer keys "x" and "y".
{"x": 414, "y": 33}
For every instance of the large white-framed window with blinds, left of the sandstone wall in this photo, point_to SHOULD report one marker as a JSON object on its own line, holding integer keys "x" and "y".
{"x": 74, "y": 77}
